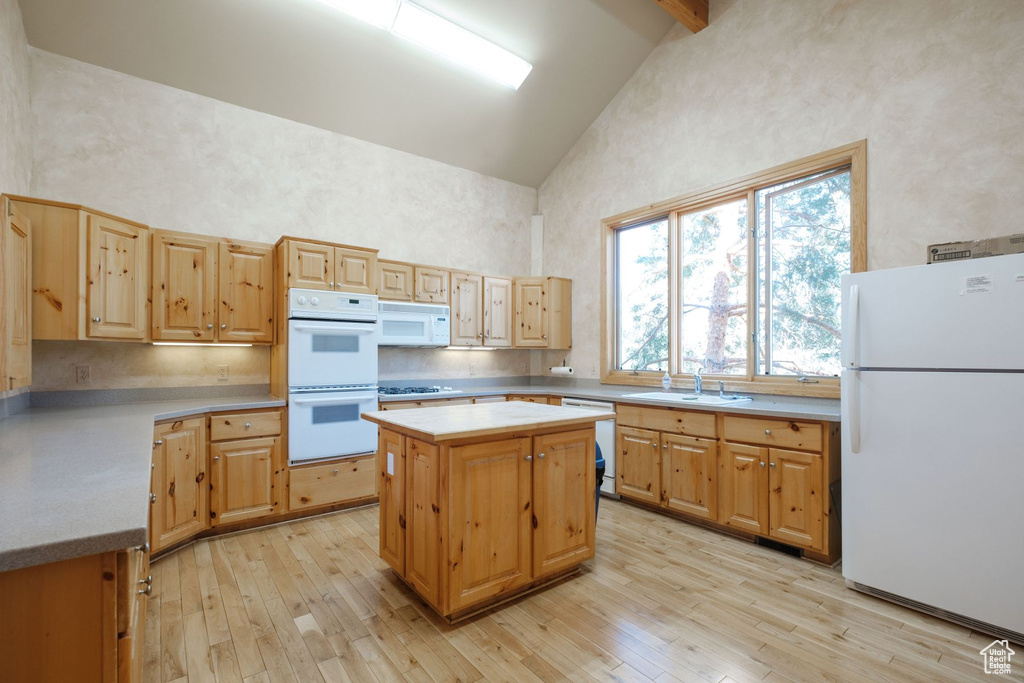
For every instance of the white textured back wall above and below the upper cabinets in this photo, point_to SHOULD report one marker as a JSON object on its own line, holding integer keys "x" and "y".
{"x": 181, "y": 161}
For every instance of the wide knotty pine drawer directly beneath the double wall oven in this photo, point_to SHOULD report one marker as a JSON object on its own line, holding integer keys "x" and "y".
{"x": 336, "y": 483}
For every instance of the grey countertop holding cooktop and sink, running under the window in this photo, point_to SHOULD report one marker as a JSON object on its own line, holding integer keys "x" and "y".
{"x": 794, "y": 408}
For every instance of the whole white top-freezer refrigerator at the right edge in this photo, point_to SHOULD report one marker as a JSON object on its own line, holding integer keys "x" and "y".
{"x": 933, "y": 440}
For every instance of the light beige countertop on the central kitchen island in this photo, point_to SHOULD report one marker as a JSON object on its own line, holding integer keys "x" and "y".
{"x": 444, "y": 423}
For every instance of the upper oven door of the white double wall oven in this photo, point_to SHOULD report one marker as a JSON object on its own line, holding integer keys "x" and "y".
{"x": 330, "y": 354}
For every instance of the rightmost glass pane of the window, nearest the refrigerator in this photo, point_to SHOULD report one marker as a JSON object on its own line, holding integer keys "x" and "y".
{"x": 803, "y": 251}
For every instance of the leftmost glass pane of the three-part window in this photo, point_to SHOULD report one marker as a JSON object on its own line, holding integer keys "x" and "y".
{"x": 643, "y": 272}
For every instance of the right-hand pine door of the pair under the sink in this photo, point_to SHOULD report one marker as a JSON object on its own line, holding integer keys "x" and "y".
{"x": 689, "y": 482}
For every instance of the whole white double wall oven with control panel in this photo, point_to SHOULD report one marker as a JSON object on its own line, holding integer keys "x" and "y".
{"x": 332, "y": 374}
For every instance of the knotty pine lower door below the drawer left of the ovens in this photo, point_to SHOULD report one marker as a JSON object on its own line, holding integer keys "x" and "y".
{"x": 243, "y": 480}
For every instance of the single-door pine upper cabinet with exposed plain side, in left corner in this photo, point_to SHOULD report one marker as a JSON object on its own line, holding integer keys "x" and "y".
{"x": 91, "y": 274}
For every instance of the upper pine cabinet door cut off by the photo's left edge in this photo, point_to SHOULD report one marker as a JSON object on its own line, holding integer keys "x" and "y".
{"x": 16, "y": 290}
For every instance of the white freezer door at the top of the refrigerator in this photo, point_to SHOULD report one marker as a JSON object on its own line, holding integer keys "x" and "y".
{"x": 965, "y": 315}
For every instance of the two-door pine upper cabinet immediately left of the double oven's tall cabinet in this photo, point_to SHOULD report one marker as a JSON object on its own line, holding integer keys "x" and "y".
{"x": 208, "y": 290}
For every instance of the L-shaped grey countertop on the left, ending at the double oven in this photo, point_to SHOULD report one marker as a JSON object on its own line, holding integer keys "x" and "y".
{"x": 75, "y": 482}
